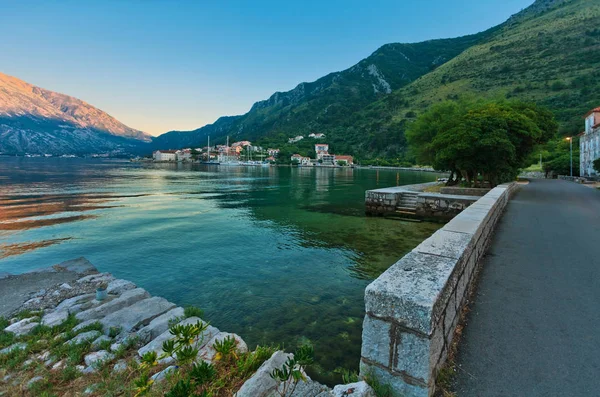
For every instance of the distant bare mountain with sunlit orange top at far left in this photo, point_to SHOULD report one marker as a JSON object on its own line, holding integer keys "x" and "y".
{"x": 36, "y": 120}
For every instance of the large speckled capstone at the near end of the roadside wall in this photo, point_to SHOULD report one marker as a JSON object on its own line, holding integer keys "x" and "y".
{"x": 409, "y": 289}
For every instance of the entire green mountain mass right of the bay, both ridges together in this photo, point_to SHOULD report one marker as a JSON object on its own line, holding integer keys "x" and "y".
{"x": 548, "y": 53}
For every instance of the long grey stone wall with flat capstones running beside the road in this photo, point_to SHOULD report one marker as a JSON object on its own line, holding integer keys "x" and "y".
{"x": 413, "y": 308}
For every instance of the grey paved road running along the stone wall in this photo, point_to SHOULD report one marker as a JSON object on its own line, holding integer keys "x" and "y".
{"x": 534, "y": 327}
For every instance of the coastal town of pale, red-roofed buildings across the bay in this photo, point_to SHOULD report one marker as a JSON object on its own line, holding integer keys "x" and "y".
{"x": 245, "y": 153}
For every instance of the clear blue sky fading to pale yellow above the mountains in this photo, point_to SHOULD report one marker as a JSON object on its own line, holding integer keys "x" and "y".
{"x": 159, "y": 65}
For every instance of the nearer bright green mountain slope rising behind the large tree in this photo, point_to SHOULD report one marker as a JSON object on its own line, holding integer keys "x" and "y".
{"x": 548, "y": 54}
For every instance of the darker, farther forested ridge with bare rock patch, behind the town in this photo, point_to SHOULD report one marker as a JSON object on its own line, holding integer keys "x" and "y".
{"x": 326, "y": 102}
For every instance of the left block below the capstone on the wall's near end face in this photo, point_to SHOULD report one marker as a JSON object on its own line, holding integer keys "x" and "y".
{"x": 376, "y": 340}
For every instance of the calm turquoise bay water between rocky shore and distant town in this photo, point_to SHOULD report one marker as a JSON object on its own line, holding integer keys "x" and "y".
{"x": 277, "y": 255}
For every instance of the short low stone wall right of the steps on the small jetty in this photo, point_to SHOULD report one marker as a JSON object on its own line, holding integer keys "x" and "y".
{"x": 442, "y": 207}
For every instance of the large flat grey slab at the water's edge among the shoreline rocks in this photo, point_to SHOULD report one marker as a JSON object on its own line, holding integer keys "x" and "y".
{"x": 139, "y": 313}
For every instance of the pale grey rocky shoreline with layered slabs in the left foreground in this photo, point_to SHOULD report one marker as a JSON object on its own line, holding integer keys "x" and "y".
{"x": 129, "y": 317}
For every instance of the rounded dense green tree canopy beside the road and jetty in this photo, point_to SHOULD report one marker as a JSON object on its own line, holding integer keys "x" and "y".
{"x": 489, "y": 139}
